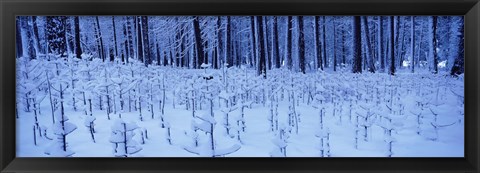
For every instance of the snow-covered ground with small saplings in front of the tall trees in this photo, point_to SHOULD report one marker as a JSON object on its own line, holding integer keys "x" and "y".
{"x": 362, "y": 115}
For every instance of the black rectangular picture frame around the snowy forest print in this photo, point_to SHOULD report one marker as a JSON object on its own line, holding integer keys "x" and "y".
{"x": 10, "y": 8}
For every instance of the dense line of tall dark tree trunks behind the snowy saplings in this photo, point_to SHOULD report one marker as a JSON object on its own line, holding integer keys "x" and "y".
{"x": 300, "y": 43}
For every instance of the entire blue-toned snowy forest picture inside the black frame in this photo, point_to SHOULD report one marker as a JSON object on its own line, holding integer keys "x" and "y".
{"x": 240, "y": 86}
